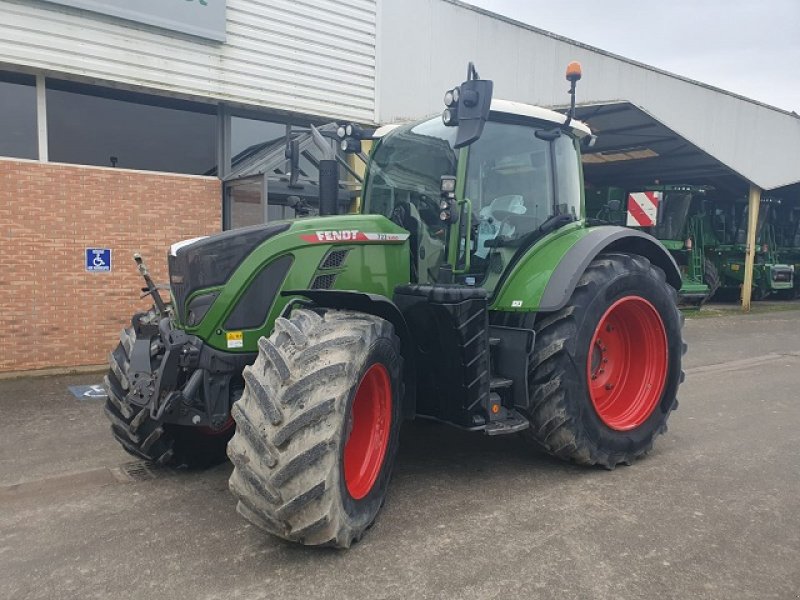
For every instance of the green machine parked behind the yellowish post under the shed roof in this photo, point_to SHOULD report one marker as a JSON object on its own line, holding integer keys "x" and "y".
{"x": 728, "y": 223}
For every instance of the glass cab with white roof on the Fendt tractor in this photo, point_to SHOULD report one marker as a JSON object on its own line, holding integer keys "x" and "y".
{"x": 520, "y": 176}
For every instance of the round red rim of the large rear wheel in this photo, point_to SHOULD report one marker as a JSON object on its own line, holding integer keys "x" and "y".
{"x": 627, "y": 363}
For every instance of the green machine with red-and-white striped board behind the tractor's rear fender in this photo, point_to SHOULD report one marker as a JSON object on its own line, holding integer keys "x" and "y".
{"x": 673, "y": 214}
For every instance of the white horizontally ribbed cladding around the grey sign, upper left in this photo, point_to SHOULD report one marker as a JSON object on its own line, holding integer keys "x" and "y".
{"x": 286, "y": 55}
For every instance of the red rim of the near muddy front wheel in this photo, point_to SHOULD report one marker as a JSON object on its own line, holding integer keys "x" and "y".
{"x": 370, "y": 421}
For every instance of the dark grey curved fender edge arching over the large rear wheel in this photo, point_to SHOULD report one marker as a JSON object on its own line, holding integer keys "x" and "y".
{"x": 604, "y": 239}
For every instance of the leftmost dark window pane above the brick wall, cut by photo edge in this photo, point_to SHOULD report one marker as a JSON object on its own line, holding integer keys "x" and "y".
{"x": 18, "y": 116}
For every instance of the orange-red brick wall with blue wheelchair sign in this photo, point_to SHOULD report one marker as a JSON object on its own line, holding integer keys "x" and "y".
{"x": 54, "y": 313}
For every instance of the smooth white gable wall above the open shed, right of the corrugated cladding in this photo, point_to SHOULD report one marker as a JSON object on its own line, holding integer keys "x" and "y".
{"x": 424, "y": 46}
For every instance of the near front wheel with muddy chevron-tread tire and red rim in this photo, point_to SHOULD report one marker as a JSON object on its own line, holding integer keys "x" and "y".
{"x": 317, "y": 427}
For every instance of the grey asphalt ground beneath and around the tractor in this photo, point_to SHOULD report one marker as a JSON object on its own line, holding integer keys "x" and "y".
{"x": 712, "y": 512}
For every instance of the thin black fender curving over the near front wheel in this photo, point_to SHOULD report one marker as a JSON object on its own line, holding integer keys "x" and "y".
{"x": 380, "y": 306}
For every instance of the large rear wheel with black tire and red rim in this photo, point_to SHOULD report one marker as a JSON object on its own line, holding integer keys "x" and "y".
{"x": 622, "y": 329}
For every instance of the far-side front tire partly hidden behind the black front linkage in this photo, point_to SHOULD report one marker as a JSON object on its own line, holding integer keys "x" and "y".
{"x": 146, "y": 439}
